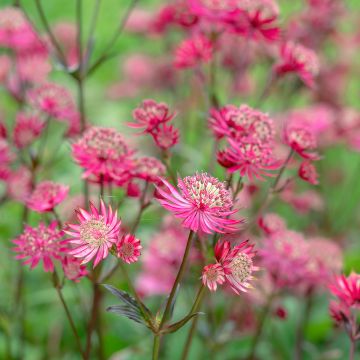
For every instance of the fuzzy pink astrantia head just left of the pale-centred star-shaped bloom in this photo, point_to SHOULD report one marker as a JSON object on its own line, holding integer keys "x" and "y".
{"x": 41, "y": 243}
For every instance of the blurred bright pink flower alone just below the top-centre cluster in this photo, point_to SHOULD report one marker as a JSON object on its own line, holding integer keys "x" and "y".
{"x": 193, "y": 52}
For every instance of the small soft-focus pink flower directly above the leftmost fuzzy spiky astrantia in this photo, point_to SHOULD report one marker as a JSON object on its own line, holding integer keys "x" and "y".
{"x": 46, "y": 196}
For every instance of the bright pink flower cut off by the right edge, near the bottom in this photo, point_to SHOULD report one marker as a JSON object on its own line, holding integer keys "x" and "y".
{"x": 347, "y": 289}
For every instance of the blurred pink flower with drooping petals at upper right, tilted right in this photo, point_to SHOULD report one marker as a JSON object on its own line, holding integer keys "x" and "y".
{"x": 298, "y": 59}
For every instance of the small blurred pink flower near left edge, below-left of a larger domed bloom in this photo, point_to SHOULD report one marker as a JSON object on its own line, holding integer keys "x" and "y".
{"x": 28, "y": 127}
